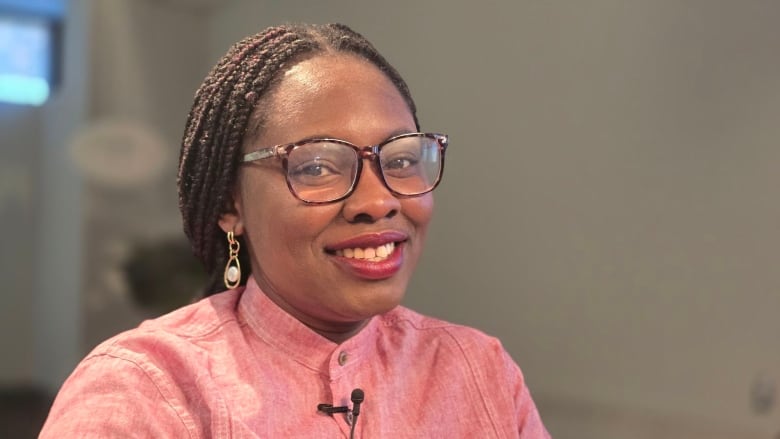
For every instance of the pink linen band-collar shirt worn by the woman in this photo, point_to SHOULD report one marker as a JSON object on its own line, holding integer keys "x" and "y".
{"x": 235, "y": 365}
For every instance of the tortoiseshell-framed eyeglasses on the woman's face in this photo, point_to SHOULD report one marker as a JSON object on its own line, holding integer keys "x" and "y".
{"x": 320, "y": 171}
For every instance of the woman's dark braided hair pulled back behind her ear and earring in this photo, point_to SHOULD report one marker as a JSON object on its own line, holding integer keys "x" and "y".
{"x": 229, "y": 106}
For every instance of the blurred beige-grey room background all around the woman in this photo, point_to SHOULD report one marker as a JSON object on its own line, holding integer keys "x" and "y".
{"x": 609, "y": 208}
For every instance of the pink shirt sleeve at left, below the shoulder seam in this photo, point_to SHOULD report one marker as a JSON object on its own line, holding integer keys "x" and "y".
{"x": 108, "y": 396}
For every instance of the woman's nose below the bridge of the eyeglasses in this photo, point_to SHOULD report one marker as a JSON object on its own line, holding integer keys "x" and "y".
{"x": 371, "y": 200}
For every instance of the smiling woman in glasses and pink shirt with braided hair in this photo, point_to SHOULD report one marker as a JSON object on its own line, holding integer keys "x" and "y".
{"x": 315, "y": 236}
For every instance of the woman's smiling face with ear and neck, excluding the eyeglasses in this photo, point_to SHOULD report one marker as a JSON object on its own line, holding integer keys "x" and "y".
{"x": 298, "y": 250}
